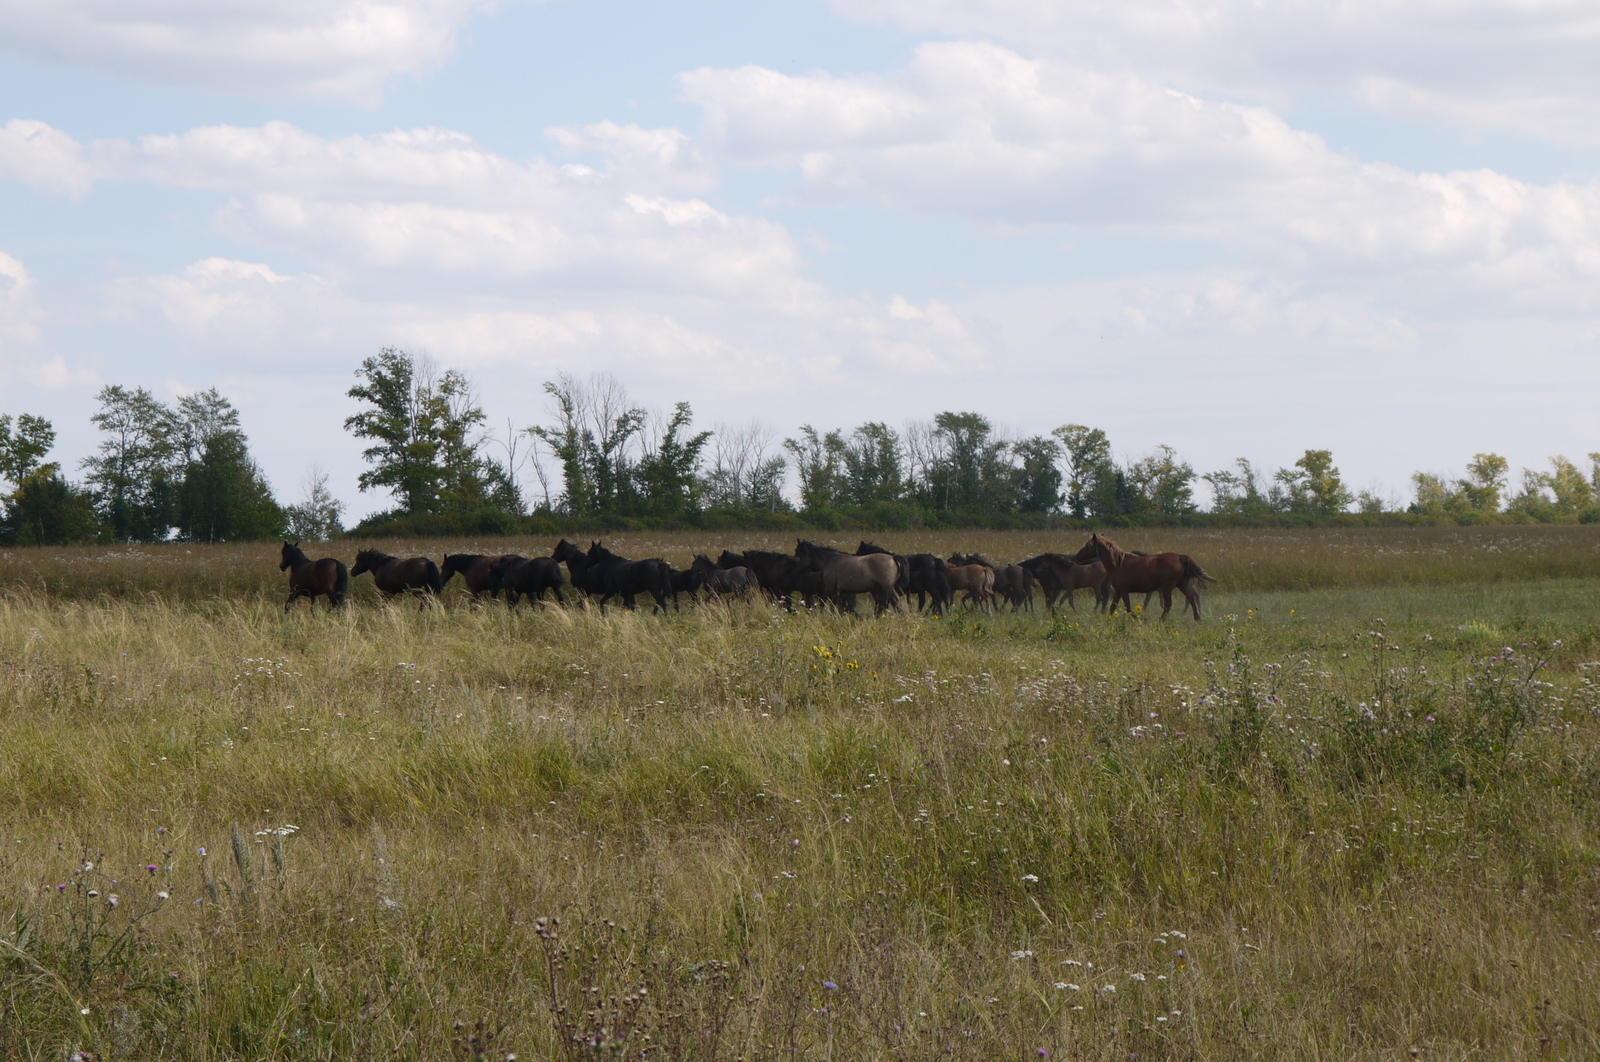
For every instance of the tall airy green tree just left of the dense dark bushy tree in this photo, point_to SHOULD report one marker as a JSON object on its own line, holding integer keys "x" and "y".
{"x": 134, "y": 473}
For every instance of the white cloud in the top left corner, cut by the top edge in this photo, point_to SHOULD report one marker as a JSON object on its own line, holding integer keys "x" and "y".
{"x": 308, "y": 49}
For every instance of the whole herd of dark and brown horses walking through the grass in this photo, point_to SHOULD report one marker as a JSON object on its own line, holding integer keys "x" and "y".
{"x": 812, "y": 575}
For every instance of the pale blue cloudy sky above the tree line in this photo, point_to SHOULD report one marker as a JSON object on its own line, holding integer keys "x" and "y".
{"x": 1234, "y": 228}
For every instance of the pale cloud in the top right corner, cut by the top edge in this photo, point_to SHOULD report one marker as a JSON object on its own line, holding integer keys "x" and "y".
{"x": 1484, "y": 65}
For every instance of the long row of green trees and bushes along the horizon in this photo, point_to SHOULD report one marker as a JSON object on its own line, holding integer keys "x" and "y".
{"x": 601, "y": 460}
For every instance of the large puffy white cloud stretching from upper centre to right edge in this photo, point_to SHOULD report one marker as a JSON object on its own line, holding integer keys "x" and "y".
{"x": 980, "y": 130}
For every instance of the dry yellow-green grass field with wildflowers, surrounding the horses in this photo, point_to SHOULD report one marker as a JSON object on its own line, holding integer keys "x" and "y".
{"x": 1350, "y": 816}
